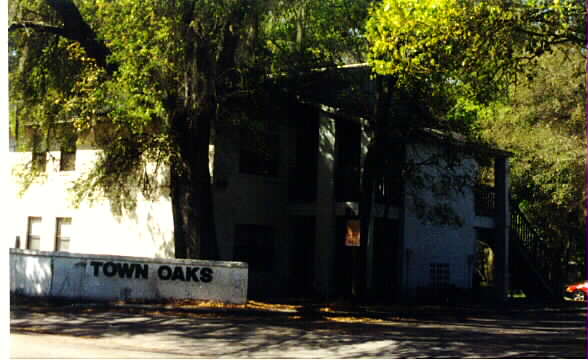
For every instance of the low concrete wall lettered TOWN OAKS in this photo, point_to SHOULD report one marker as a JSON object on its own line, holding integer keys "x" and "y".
{"x": 108, "y": 278}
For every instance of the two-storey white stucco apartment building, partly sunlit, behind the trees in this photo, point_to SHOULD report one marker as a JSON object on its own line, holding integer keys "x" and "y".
{"x": 287, "y": 211}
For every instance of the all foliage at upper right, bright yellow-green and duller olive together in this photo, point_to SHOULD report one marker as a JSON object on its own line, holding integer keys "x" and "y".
{"x": 460, "y": 55}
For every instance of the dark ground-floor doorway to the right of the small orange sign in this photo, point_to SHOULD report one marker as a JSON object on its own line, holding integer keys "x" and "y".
{"x": 386, "y": 262}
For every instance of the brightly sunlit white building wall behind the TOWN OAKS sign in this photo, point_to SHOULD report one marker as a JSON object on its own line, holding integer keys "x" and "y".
{"x": 148, "y": 231}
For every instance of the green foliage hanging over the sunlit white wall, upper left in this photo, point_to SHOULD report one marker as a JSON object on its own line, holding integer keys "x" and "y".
{"x": 53, "y": 81}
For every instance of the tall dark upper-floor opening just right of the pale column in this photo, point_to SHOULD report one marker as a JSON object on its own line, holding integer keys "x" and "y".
{"x": 347, "y": 167}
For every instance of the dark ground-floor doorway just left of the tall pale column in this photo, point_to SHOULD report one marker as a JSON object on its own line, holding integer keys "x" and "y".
{"x": 302, "y": 239}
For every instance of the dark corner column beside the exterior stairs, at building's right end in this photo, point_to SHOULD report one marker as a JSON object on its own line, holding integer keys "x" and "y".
{"x": 502, "y": 221}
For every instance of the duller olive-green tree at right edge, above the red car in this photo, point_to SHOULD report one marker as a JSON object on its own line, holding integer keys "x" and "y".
{"x": 542, "y": 123}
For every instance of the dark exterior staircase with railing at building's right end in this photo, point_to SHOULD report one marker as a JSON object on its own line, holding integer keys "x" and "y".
{"x": 529, "y": 265}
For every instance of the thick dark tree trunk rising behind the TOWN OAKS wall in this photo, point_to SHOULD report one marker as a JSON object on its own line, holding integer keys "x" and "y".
{"x": 191, "y": 193}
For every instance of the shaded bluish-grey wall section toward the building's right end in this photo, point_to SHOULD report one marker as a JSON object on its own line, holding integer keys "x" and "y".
{"x": 426, "y": 243}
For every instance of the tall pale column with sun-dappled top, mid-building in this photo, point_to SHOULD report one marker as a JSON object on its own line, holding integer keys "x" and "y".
{"x": 325, "y": 206}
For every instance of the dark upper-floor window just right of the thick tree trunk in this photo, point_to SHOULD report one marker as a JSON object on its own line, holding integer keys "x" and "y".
{"x": 259, "y": 149}
